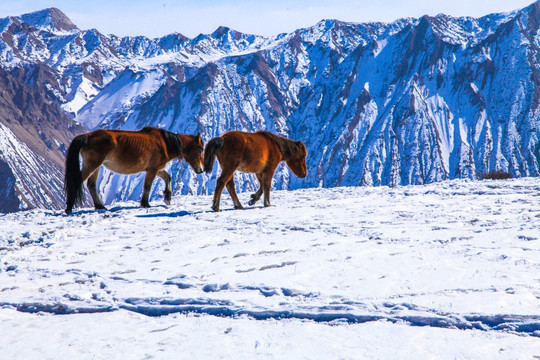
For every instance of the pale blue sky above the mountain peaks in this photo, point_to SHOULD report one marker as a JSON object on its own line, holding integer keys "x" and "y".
{"x": 191, "y": 17}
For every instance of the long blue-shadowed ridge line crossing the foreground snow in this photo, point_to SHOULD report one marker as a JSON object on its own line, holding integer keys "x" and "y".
{"x": 518, "y": 324}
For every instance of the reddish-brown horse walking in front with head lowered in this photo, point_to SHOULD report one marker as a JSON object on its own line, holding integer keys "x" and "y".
{"x": 258, "y": 153}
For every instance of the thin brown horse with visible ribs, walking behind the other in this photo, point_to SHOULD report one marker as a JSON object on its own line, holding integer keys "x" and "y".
{"x": 127, "y": 152}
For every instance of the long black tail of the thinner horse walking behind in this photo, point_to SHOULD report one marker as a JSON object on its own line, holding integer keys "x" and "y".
{"x": 73, "y": 179}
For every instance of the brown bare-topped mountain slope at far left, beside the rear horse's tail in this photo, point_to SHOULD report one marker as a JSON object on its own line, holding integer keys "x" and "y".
{"x": 34, "y": 133}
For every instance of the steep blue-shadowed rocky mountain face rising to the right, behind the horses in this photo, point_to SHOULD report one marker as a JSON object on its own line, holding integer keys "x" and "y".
{"x": 412, "y": 102}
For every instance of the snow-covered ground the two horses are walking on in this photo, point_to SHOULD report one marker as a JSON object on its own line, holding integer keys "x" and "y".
{"x": 449, "y": 270}
